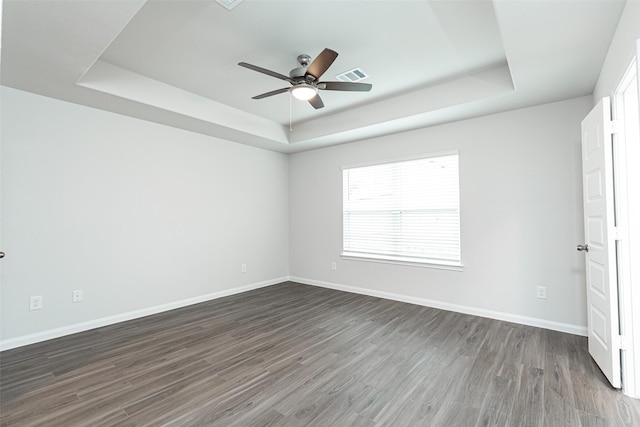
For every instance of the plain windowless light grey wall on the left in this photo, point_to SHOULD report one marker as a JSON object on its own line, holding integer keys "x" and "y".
{"x": 141, "y": 217}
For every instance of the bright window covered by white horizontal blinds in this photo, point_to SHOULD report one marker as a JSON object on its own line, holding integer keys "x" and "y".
{"x": 406, "y": 211}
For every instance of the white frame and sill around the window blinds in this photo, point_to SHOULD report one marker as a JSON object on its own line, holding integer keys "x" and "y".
{"x": 399, "y": 260}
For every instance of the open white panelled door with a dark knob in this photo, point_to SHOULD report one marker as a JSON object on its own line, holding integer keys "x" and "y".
{"x": 600, "y": 232}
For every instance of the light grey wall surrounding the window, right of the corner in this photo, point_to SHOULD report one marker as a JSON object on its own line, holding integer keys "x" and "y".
{"x": 521, "y": 207}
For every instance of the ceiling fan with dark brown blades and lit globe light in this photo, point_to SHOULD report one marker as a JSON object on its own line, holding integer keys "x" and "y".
{"x": 304, "y": 79}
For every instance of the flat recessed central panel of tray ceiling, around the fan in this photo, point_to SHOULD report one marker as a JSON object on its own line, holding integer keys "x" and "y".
{"x": 196, "y": 46}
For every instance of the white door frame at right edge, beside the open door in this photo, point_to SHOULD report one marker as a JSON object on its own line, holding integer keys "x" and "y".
{"x": 627, "y": 195}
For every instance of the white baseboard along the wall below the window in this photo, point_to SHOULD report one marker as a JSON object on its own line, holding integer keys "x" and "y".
{"x": 491, "y": 314}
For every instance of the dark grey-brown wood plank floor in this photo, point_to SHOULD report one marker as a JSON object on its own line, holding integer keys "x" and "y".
{"x": 296, "y": 355}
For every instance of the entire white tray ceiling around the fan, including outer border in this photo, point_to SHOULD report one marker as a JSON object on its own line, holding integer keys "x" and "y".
{"x": 430, "y": 62}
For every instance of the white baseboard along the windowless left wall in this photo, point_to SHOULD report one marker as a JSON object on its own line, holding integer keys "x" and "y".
{"x": 110, "y": 320}
